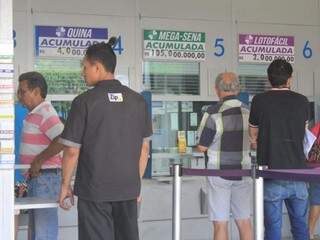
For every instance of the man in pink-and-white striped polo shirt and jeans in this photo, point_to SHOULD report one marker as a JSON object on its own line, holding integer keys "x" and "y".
{"x": 40, "y": 148}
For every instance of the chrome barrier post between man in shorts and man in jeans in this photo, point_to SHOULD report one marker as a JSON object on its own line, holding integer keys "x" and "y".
{"x": 257, "y": 183}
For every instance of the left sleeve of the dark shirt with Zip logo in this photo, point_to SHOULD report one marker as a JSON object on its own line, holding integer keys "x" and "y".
{"x": 72, "y": 135}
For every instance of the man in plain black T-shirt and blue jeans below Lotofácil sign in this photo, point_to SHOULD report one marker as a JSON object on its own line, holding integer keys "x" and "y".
{"x": 277, "y": 124}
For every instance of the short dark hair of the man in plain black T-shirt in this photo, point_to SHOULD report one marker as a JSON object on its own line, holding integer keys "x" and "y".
{"x": 279, "y": 71}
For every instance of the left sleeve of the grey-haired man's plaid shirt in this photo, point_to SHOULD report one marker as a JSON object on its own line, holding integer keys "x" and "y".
{"x": 207, "y": 133}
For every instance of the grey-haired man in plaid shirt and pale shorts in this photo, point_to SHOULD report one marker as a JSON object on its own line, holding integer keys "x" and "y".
{"x": 223, "y": 134}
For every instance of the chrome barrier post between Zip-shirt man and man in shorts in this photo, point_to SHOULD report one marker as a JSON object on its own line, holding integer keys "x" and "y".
{"x": 176, "y": 207}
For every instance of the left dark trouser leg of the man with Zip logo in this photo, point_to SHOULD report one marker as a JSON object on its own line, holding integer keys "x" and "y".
{"x": 95, "y": 220}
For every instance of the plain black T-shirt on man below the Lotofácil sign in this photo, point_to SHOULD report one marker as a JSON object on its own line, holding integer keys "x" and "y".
{"x": 281, "y": 116}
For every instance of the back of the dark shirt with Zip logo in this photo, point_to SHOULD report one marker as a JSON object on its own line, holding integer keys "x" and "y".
{"x": 116, "y": 121}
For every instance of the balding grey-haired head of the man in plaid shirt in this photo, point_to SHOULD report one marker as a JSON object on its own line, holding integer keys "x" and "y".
{"x": 228, "y": 82}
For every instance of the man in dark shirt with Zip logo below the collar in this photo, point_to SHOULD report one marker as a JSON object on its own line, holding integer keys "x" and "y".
{"x": 107, "y": 134}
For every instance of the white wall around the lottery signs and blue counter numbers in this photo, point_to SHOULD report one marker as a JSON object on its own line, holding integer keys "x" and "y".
{"x": 224, "y": 19}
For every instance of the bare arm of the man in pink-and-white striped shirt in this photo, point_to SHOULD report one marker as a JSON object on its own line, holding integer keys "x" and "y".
{"x": 53, "y": 149}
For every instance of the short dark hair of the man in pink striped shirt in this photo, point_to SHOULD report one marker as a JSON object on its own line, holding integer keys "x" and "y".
{"x": 34, "y": 80}
